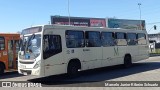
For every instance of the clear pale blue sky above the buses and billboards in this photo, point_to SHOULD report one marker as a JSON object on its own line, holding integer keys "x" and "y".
{"x": 16, "y": 15}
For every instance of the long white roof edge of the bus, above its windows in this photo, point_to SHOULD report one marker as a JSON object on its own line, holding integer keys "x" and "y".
{"x": 71, "y": 27}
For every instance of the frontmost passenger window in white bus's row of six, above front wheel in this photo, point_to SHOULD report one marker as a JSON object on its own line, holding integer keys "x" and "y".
{"x": 74, "y": 39}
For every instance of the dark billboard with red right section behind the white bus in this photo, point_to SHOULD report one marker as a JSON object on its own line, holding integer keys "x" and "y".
{"x": 78, "y": 21}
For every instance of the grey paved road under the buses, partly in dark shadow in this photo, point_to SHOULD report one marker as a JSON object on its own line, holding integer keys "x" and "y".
{"x": 146, "y": 70}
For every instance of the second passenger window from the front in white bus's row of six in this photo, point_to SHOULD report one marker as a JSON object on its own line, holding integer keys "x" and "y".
{"x": 93, "y": 39}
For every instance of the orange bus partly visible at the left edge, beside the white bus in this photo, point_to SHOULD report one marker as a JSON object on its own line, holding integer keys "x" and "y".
{"x": 9, "y": 47}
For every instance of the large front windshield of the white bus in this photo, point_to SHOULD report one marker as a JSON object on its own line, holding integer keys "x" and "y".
{"x": 30, "y": 47}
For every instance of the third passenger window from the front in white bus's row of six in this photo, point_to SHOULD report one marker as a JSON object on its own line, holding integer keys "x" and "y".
{"x": 107, "y": 39}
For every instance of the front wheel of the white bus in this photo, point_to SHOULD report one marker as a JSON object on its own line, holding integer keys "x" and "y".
{"x": 72, "y": 70}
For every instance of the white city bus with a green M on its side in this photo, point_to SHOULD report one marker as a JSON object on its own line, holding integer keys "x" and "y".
{"x": 57, "y": 49}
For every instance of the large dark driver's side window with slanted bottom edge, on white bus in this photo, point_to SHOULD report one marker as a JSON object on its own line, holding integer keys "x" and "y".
{"x": 51, "y": 45}
